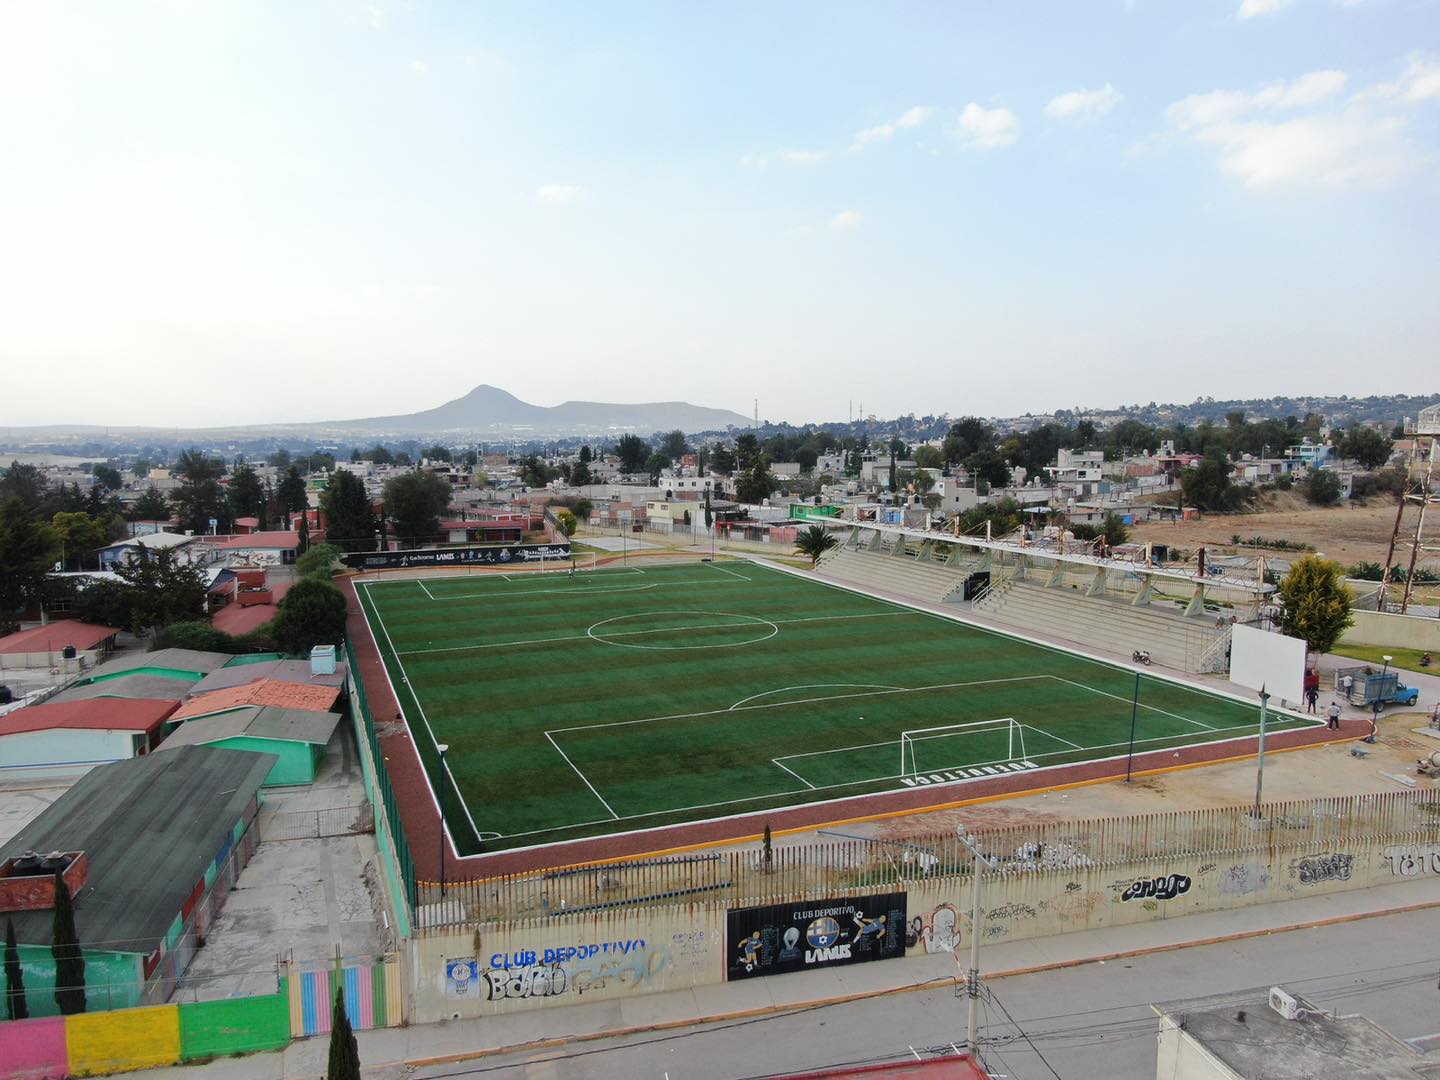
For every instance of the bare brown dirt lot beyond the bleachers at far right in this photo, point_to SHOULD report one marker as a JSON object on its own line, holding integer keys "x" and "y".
{"x": 1349, "y": 535}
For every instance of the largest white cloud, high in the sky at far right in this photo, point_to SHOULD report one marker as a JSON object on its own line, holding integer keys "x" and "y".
{"x": 1297, "y": 135}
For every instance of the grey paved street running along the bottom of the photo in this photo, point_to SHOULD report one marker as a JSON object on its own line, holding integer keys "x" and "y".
{"x": 1088, "y": 1022}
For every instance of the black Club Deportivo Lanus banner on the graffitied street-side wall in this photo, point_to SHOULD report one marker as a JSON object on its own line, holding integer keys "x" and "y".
{"x": 814, "y": 934}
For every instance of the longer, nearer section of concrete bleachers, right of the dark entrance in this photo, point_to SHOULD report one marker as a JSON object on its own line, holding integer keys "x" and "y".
{"x": 1173, "y": 639}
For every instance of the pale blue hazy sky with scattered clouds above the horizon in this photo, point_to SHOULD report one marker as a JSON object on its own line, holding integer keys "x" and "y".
{"x": 243, "y": 212}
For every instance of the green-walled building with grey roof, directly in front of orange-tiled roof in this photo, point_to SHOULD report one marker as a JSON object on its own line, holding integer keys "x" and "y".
{"x": 297, "y": 738}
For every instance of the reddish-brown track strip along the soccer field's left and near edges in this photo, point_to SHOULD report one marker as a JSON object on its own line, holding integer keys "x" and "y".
{"x": 421, "y": 816}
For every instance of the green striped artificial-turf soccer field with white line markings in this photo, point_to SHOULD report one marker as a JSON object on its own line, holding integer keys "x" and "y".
{"x": 633, "y": 698}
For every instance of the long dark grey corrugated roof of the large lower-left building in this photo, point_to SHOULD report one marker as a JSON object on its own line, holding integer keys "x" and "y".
{"x": 150, "y": 827}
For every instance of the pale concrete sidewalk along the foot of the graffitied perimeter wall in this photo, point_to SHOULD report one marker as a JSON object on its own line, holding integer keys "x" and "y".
{"x": 391, "y": 1053}
